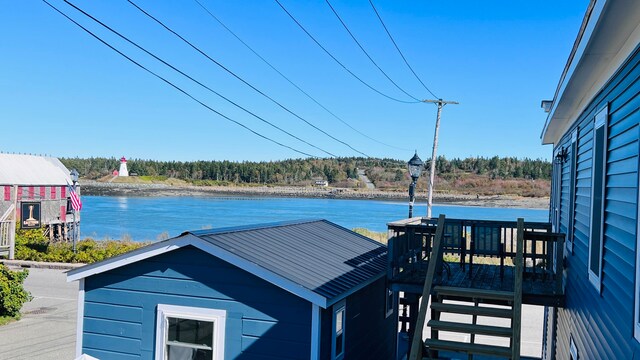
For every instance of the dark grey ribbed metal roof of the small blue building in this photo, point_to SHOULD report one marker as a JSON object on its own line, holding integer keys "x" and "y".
{"x": 314, "y": 259}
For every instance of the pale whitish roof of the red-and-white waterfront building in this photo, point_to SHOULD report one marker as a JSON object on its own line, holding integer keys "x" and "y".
{"x": 17, "y": 169}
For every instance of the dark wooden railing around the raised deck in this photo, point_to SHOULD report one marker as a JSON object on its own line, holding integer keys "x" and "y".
{"x": 410, "y": 244}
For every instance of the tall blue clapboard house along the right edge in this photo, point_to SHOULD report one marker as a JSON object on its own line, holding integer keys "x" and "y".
{"x": 593, "y": 126}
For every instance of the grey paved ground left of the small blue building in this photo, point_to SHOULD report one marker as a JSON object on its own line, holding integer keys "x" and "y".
{"x": 47, "y": 329}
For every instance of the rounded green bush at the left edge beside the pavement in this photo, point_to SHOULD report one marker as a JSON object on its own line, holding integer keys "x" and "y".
{"x": 12, "y": 292}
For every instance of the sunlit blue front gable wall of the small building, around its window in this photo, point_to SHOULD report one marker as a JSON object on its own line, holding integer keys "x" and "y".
{"x": 263, "y": 321}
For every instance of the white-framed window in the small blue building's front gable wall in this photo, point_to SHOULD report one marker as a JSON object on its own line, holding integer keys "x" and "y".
{"x": 189, "y": 333}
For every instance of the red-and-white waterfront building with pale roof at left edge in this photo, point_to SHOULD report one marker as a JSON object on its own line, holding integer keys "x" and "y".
{"x": 34, "y": 193}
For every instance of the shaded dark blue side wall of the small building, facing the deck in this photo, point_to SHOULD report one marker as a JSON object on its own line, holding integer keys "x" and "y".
{"x": 369, "y": 334}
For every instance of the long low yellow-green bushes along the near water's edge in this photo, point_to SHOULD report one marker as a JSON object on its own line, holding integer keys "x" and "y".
{"x": 32, "y": 245}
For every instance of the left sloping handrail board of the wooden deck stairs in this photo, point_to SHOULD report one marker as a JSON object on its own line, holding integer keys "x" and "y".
{"x": 436, "y": 252}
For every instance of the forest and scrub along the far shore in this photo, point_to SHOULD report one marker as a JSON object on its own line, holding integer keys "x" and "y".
{"x": 473, "y": 175}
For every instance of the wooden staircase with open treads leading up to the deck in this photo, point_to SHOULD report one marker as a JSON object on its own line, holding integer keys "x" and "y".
{"x": 472, "y": 302}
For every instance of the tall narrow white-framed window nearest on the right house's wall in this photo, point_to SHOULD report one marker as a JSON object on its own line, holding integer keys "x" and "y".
{"x": 597, "y": 197}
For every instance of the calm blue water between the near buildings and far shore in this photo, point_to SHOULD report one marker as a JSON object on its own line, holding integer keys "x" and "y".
{"x": 145, "y": 218}
